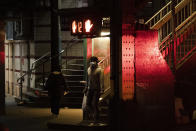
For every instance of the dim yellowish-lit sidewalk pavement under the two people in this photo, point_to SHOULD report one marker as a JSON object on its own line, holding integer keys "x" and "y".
{"x": 21, "y": 118}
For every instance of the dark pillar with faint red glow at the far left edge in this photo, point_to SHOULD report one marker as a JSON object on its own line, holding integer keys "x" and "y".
{"x": 2, "y": 68}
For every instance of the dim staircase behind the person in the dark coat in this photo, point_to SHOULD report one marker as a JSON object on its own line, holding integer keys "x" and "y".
{"x": 73, "y": 73}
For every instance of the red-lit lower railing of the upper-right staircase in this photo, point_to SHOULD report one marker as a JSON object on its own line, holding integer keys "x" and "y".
{"x": 182, "y": 49}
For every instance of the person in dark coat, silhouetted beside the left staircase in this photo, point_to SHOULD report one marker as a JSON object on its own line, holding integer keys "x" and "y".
{"x": 56, "y": 87}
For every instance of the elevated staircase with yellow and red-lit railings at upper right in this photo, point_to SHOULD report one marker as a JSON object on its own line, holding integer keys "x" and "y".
{"x": 176, "y": 47}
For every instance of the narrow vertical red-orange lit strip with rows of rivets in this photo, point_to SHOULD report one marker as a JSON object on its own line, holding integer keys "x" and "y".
{"x": 127, "y": 65}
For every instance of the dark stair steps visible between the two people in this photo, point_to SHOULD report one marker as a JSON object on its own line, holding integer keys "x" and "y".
{"x": 74, "y": 73}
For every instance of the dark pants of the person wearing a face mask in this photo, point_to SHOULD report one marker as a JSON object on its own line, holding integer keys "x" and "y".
{"x": 92, "y": 103}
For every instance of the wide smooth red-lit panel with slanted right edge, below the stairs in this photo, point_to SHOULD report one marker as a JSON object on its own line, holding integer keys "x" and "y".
{"x": 154, "y": 79}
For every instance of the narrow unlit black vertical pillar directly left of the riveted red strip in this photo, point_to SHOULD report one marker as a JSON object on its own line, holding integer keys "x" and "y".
{"x": 115, "y": 40}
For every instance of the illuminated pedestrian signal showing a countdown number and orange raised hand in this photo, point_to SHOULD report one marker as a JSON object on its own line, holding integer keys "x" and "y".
{"x": 85, "y": 27}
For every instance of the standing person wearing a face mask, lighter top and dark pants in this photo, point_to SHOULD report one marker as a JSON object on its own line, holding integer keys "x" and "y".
{"x": 94, "y": 89}
